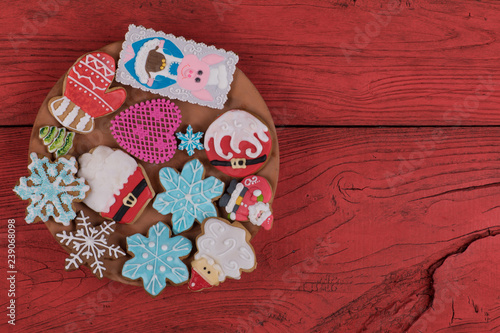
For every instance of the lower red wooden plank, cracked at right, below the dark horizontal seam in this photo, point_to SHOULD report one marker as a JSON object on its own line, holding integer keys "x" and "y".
{"x": 371, "y": 225}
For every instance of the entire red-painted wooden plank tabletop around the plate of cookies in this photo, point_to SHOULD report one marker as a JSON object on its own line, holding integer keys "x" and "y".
{"x": 388, "y": 204}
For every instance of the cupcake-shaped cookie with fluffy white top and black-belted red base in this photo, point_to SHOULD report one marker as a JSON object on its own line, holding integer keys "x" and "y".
{"x": 120, "y": 188}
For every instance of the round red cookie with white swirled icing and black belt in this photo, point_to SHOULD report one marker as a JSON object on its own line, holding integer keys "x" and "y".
{"x": 237, "y": 143}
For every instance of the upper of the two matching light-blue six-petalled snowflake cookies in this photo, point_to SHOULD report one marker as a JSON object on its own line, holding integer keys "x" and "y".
{"x": 187, "y": 195}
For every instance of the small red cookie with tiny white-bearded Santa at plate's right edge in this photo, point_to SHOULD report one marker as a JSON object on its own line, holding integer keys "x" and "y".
{"x": 248, "y": 200}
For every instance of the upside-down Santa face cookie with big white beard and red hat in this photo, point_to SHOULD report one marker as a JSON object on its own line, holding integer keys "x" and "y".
{"x": 224, "y": 250}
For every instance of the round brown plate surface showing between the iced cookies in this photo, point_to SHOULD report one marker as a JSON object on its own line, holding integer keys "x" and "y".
{"x": 243, "y": 95}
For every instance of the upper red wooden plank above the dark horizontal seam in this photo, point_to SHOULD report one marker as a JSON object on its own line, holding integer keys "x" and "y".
{"x": 335, "y": 62}
